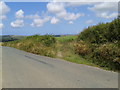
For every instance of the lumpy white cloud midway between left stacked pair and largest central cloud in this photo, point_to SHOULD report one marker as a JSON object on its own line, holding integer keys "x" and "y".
{"x": 40, "y": 22}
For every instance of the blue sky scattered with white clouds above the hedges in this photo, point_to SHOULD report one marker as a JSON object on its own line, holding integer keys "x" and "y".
{"x": 30, "y": 18}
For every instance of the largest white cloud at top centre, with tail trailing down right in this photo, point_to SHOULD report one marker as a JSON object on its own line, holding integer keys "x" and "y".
{"x": 59, "y": 10}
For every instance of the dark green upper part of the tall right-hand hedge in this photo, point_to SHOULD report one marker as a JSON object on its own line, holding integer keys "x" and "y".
{"x": 101, "y": 33}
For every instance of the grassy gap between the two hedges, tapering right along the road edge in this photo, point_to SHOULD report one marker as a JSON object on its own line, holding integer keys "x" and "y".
{"x": 65, "y": 47}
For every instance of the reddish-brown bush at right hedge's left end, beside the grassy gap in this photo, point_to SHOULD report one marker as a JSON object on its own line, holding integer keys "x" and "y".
{"x": 82, "y": 48}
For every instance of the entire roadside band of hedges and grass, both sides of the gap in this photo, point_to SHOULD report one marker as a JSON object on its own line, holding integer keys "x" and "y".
{"x": 96, "y": 45}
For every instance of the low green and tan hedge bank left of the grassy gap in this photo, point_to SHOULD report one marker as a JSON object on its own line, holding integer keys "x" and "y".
{"x": 41, "y": 45}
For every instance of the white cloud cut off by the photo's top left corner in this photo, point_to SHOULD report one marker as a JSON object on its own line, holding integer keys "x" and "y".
{"x": 4, "y": 9}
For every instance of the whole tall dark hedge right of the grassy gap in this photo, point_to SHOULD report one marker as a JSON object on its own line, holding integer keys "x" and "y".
{"x": 101, "y": 44}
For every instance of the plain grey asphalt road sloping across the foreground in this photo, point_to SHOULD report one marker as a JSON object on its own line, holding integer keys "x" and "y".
{"x": 25, "y": 70}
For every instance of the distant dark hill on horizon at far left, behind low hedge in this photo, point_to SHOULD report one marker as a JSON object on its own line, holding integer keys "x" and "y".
{"x": 6, "y": 38}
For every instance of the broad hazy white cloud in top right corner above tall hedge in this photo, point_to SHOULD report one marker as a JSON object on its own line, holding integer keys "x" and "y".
{"x": 105, "y": 10}
